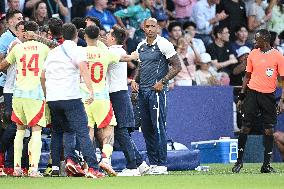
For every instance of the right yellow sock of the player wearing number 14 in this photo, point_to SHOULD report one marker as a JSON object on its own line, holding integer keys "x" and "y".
{"x": 35, "y": 148}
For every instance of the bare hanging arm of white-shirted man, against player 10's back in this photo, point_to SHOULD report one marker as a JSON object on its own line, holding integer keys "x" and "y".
{"x": 84, "y": 72}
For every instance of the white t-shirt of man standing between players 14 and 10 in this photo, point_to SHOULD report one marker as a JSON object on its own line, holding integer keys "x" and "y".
{"x": 63, "y": 74}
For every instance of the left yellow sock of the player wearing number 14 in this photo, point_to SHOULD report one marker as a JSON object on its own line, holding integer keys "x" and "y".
{"x": 18, "y": 147}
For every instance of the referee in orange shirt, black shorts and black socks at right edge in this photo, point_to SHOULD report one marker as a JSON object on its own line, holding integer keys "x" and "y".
{"x": 257, "y": 94}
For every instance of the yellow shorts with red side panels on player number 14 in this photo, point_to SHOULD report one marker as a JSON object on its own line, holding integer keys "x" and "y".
{"x": 28, "y": 112}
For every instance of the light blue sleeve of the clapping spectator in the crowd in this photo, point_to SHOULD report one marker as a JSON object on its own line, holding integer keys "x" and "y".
{"x": 199, "y": 18}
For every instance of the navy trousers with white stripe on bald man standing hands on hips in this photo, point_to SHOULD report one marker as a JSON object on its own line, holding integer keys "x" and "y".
{"x": 153, "y": 113}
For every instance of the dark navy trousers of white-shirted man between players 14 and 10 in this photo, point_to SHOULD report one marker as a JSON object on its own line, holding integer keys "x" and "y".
{"x": 73, "y": 116}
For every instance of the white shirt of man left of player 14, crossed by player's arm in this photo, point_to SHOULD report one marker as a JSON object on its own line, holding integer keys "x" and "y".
{"x": 11, "y": 72}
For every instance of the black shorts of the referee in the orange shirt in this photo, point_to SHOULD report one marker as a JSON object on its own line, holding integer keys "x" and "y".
{"x": 257, "y": 102}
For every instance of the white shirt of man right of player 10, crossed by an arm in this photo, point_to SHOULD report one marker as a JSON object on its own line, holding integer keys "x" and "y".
{"x": 117, "y": 73}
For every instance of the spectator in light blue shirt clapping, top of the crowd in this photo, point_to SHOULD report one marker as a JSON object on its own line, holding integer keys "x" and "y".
{"x": 205, "y": 17}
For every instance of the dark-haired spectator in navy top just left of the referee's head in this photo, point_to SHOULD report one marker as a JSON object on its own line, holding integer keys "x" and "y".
{"x": 241, "y": 35}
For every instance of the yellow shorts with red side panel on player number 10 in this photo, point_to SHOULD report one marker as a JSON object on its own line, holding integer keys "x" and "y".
{"x": 100, "y": 112}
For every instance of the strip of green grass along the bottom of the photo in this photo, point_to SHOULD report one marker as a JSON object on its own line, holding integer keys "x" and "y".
{"x": 219, "y": 177}
